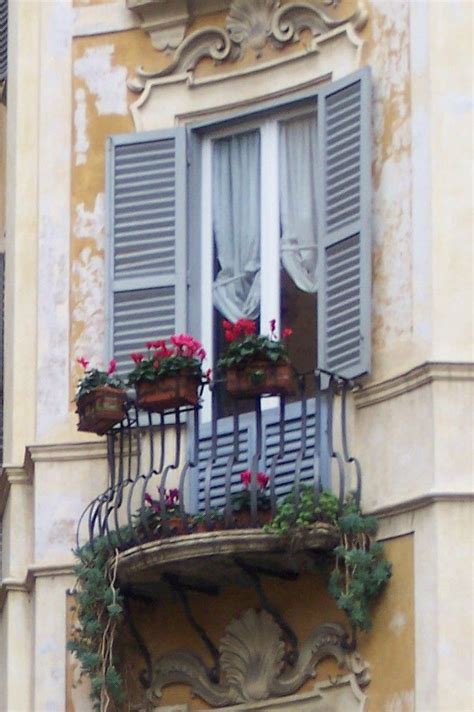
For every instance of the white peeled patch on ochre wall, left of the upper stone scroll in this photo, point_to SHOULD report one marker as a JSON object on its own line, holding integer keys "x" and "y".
{"x": 106, "y": 82}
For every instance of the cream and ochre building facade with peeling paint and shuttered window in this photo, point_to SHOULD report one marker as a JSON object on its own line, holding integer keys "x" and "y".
{"x": 166, "y": 163}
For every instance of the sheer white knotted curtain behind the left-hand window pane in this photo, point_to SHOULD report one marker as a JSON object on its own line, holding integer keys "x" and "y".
{"x": 236, "y": 224}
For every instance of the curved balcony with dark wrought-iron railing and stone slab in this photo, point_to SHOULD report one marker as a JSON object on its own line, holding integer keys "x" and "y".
{"x": 298, "y": 444}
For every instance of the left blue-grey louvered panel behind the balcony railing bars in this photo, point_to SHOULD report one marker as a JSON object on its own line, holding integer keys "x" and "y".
{"x": 224, "y": 453}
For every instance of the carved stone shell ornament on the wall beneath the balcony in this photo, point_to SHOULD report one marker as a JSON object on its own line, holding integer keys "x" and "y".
{"x": 252, "y": 663}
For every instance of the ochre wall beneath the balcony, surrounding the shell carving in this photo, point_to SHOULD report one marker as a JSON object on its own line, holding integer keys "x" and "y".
{"x": 388, "y": 647}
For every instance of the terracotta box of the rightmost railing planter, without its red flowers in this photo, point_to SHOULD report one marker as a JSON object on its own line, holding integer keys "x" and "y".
{"x": 261, "y": 378}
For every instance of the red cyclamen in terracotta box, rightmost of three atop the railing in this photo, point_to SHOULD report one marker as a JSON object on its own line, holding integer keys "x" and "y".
{"x": 255, "y": 364}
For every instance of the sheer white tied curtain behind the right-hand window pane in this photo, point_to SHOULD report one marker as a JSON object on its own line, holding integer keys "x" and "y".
{"x": 297, "y": 201}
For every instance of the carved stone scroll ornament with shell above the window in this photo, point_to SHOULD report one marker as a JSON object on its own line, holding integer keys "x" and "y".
{"x": 249, "y": 24}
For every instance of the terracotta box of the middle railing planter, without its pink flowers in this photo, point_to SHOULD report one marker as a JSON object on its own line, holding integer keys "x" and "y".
{"x": 168, "y": 393}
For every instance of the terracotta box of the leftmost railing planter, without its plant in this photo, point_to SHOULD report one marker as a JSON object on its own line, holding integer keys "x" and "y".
{"x": 101, "y": 409}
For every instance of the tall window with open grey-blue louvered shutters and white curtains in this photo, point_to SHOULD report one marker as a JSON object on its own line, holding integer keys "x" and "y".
{"x": 265, "y": 214}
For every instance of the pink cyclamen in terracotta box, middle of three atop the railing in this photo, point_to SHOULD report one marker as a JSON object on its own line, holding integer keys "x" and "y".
{"x": 168, "y": 376}
